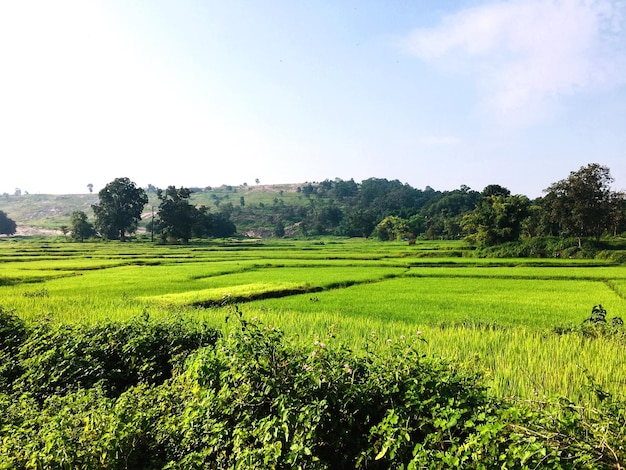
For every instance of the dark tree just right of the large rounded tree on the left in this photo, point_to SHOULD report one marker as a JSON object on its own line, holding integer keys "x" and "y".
{"x": 176, "y": 216}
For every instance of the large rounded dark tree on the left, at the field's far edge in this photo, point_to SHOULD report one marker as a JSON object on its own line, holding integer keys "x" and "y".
{"x": 119, "y": 209}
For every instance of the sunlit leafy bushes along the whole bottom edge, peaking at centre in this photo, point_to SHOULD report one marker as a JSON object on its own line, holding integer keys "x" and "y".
{"x": 256, "y": 400}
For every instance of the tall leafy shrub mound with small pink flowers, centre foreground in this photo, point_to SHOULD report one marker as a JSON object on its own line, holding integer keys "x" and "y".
{"x": 274, "y": 405}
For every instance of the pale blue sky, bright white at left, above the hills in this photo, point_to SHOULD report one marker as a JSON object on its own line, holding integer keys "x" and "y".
{"x": 201, "y": 93}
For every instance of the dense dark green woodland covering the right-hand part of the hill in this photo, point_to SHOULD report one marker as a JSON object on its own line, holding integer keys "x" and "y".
{"x": 582, "y": 205}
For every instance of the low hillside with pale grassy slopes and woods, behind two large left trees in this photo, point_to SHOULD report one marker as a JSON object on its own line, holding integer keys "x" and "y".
{"x": 387, "y": 210}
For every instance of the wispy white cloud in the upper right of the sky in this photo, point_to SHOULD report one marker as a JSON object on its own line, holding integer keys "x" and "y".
{"x": 524, "y": 54}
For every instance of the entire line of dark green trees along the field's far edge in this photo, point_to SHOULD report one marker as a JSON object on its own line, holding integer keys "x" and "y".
{"x": 581, "y": 205}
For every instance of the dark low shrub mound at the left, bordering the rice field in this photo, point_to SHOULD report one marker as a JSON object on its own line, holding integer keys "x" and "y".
{"x": 56, "y": 359}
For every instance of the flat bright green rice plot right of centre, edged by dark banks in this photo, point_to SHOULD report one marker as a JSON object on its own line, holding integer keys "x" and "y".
{"x": 513, "y": 302}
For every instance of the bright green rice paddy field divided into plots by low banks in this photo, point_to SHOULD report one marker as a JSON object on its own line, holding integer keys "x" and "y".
{"x": 495, "y": 316}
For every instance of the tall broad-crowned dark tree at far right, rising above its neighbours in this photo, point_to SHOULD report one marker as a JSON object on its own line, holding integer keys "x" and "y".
{"x": 583, "y": 203}
